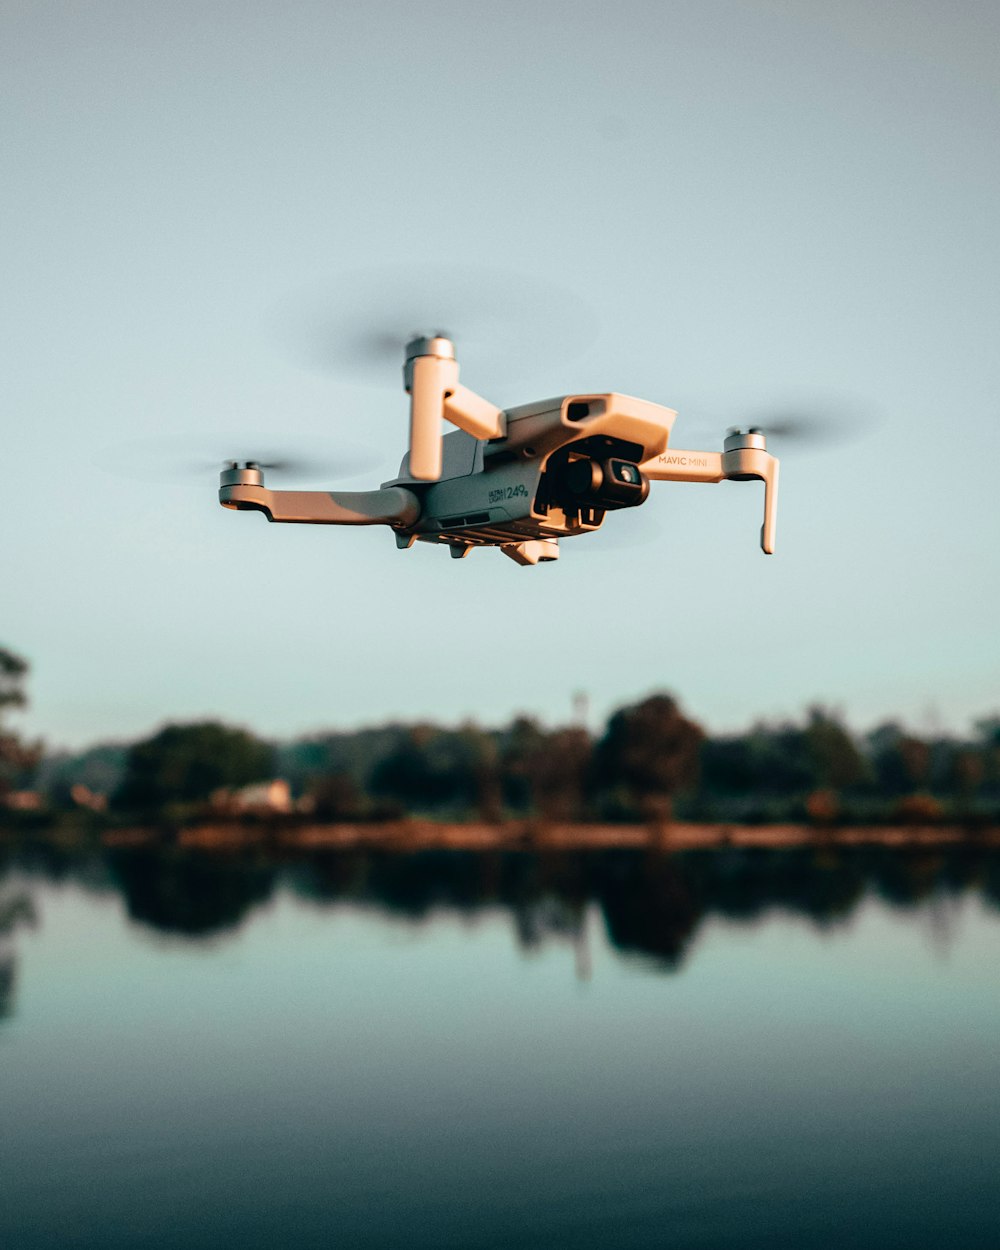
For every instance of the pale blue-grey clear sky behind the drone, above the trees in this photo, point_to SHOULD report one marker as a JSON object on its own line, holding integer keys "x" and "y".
{"x": 761, "y": 206}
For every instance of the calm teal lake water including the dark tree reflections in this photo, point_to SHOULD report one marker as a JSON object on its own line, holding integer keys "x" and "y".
{"x": 716, "y": 1049}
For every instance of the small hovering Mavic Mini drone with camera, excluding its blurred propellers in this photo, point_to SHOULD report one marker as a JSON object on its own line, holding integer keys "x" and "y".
{"x": 521, "y": 479}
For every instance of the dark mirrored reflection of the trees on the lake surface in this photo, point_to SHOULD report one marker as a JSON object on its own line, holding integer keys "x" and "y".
{"x": 652, "y": 903}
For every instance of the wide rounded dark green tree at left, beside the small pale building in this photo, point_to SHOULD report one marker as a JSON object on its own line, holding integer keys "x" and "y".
{"x": 187, "y": 763}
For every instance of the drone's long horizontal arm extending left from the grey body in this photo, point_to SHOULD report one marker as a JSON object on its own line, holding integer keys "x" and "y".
{"x": 392, "y": 507}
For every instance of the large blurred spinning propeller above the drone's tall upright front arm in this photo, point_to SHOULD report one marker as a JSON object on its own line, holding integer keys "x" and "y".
{"x": 507, "y": 324}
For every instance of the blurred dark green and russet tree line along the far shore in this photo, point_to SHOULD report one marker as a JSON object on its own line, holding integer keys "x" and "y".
{"x": 649, "y": 762}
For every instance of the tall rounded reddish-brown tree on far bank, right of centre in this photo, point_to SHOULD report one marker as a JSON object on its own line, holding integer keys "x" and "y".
{"x": 649, "y": 753}
